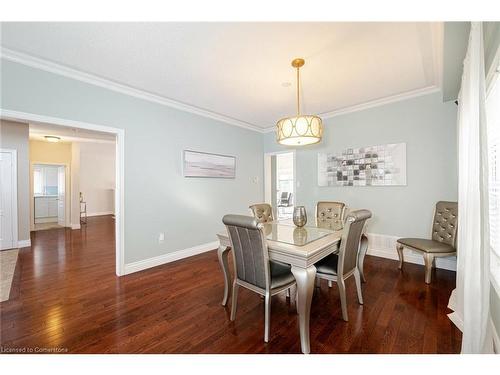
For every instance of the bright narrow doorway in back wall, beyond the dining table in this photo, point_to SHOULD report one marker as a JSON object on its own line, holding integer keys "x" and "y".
{"x": 280, "y": 183}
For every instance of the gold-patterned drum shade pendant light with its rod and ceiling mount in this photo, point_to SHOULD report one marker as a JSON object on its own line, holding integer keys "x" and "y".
{"x": 299, "y": 130}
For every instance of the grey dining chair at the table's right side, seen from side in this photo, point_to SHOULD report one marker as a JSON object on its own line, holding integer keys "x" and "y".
{"x": 339, "y": 267}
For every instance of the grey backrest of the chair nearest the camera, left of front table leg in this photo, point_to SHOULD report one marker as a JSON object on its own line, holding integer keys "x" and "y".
{"x": 250, "y": 254}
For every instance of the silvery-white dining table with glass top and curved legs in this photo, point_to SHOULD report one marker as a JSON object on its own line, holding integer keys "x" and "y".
{"x": 299, "y": 247}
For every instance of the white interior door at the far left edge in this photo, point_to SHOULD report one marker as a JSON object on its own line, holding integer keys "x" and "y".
{"x": 6, "y": 201}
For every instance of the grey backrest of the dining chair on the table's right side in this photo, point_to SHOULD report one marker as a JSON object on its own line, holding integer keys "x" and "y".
{"x": 351, "y": 236}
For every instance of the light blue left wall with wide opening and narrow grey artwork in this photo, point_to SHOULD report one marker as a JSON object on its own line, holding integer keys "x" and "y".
{"x": 157, "y": 197}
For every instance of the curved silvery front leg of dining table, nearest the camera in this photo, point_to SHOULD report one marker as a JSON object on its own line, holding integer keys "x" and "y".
{"x": 305, "y": 288}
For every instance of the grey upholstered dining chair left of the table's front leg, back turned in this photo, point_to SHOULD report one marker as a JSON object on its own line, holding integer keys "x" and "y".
{"x": 252, "y": 267}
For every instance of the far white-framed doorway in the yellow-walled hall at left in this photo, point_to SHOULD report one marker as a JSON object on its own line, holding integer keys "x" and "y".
{"x": 49, "y": 196}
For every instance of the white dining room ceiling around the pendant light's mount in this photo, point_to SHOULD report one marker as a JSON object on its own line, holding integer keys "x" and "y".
{"x": 242, "y": 71}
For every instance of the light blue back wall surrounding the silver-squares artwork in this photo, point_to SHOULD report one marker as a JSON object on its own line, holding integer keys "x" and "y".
{"x": 427, "y": 125}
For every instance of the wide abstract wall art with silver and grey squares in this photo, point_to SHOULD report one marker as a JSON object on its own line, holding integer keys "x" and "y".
{"x": 382, "y": 165}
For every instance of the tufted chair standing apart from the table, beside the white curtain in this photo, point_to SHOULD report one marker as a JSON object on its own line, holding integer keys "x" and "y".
{"x": 443, "y": 238}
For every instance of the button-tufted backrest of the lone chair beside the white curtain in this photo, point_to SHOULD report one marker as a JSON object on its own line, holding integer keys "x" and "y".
{"x": 444, "y": 226}
